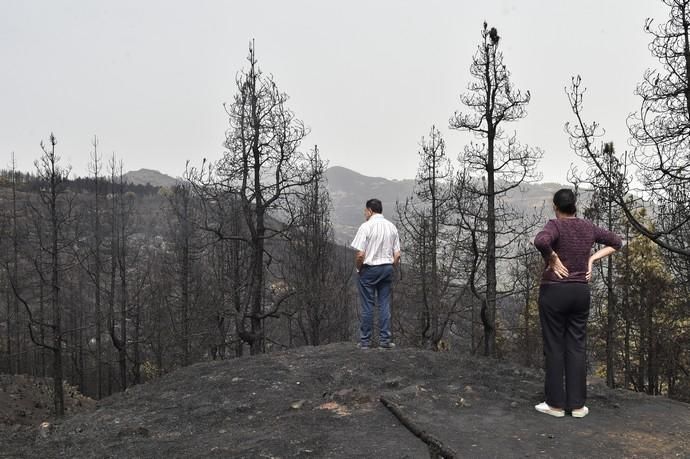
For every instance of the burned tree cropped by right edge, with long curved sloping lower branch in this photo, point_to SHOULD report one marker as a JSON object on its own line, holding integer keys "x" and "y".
{"x": 660, "y": 133}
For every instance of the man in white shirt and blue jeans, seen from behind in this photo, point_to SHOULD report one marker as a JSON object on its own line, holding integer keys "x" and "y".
{"x": 378, "y": 249}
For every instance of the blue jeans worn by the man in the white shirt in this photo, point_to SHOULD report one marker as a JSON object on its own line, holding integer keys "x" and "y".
{"x": 375, "y": 281}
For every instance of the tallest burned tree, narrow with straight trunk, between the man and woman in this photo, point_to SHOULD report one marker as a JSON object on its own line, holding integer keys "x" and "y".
{"x": 491, "y": 168}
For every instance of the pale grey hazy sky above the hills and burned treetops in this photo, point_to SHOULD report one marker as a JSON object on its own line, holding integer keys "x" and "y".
{"x": 368, "y": 77}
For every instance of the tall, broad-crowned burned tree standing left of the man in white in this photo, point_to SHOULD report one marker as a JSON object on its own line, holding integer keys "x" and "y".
{"x": 261, "y": 168}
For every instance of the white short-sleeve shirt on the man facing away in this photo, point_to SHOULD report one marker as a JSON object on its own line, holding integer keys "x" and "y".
{"x": 378, "y": 239}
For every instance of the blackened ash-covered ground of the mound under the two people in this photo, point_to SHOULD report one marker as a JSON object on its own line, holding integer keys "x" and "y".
{"x": 323, "y": 402}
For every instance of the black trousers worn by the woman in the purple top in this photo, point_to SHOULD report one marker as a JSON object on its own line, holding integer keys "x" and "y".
{"x": 563, "y": 312}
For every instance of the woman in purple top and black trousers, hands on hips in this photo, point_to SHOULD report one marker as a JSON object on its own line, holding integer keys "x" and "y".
{"x": 566, "y": 245}
